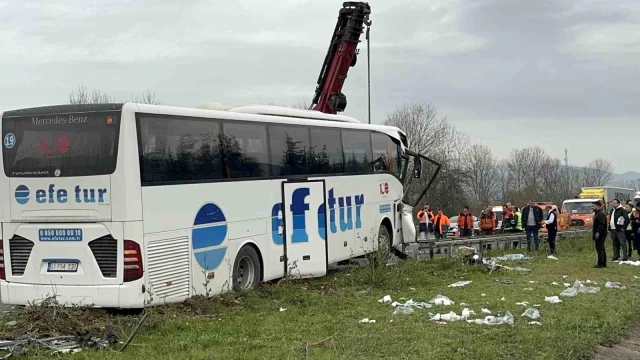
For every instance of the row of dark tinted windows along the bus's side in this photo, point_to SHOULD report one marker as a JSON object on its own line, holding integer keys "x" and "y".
{"x": 194, "y": 149}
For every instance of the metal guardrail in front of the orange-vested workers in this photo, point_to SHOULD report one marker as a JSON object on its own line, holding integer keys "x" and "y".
{"x": 493, "y": 242}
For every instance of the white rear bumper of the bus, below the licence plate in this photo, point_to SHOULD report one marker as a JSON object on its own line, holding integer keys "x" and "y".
{"x": 125, "y": 296}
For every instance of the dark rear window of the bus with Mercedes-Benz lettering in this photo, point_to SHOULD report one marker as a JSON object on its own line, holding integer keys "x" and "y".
{"x": 69, "y": 144}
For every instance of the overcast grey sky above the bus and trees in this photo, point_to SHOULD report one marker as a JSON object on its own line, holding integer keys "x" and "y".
{"x": 560, "y": 74}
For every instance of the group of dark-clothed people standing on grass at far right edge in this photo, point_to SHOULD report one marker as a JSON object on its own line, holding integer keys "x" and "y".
{"x": 623, "y": 225}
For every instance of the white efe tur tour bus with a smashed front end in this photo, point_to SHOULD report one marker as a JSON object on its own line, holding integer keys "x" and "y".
{"x": 128, "y": 205}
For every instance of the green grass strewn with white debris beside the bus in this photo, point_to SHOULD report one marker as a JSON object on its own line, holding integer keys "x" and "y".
{"x": 322, "y": 316}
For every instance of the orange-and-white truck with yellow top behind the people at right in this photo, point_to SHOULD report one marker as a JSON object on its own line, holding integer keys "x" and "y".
{"x": 579, "y": 209}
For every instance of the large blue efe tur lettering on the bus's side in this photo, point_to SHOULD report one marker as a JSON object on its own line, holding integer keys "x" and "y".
{"x": 299, "y": 207}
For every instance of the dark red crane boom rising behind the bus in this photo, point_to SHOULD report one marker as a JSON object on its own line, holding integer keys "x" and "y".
{"x": 342, "y": 55}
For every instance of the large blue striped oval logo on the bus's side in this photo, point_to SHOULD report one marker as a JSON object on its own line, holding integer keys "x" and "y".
{"x": 208, "y": 235}
